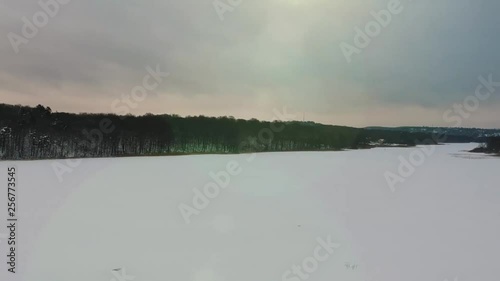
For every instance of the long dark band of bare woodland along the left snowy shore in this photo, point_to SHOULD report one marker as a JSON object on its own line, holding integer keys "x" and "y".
{"x": 39, "y": 133}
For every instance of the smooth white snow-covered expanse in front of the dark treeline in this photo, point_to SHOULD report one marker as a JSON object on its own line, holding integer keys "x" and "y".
{"x": 319, "y": 216}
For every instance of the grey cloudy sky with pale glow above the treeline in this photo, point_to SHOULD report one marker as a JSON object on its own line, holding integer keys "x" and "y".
{"x": 256, "y": 56}
